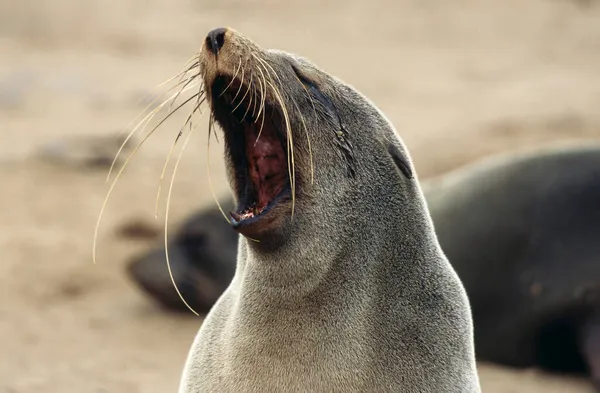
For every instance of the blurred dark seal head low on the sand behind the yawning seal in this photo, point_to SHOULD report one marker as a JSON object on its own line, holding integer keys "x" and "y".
{"x": 202, "y": 258}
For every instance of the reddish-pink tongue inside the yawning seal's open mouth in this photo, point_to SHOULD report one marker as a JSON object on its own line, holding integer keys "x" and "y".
{"x": 267, "y": 168}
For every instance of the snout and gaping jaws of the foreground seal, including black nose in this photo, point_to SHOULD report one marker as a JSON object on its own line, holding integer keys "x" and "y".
{"x": 244, "y": 89}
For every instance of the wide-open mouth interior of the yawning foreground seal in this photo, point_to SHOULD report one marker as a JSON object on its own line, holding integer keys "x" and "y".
{"x": 256, "y": 147}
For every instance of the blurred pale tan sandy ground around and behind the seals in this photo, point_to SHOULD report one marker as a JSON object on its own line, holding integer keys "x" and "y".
{"x": 459, "y": 80}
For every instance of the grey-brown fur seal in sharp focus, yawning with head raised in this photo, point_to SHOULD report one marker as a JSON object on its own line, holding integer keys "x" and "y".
{"x": 340, "y": 283}
